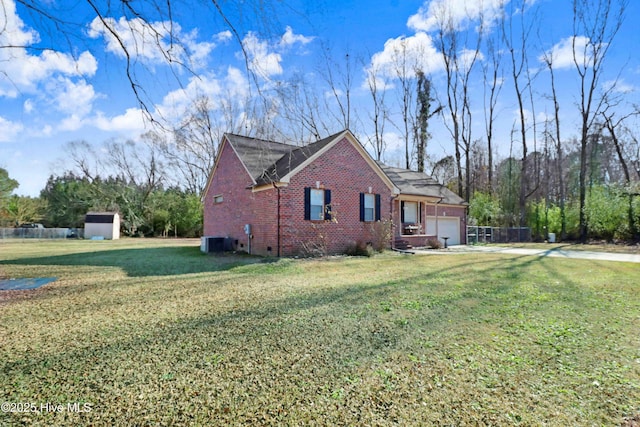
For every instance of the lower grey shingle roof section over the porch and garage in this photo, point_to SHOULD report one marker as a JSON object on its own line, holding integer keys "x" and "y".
{"x": 420, "y": 184}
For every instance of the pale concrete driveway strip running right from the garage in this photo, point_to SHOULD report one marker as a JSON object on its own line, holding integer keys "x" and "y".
{"x": 554, "y": 253}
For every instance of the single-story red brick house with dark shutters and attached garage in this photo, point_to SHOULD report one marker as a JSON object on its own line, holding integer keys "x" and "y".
{"x": 277, "y": 199}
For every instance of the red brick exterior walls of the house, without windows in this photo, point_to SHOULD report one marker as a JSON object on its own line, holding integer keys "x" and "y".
{"x": 341, "y": 169}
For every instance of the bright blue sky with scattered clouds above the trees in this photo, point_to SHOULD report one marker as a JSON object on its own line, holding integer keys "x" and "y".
{"x": 79, "y": 91}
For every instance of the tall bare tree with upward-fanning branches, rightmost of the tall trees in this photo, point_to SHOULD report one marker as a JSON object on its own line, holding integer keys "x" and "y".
{"x": 595, "y": 25}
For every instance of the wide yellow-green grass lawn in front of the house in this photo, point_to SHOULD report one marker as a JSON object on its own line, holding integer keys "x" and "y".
{"x": 151, "y": 332}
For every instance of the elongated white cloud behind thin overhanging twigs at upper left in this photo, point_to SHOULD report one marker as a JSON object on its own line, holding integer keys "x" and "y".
{"x": 154, "y": 43}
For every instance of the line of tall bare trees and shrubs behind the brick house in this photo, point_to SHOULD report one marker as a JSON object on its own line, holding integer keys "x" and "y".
{"x": 579, "y": 184}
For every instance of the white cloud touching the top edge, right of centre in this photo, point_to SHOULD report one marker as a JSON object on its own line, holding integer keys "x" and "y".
{"x": 456, "y": 14}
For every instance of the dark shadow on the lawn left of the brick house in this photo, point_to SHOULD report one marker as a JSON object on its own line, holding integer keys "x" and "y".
{"x": 143, "y": 262}
